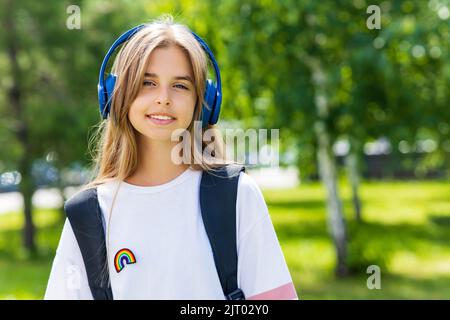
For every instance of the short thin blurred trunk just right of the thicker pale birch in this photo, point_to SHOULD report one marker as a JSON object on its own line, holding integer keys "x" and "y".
{"x": 353, "y": 172}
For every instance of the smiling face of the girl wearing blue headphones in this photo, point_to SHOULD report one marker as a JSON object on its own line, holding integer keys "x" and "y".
{"x": 167, "y": 92}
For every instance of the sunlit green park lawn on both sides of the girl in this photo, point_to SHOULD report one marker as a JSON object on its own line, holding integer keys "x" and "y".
{"x": 406, "y": 231}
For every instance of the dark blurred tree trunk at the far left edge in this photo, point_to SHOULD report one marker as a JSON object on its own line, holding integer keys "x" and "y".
{"x": 21, "y": 129}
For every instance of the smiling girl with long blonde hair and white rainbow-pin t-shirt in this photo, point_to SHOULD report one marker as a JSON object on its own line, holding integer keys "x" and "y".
{"x": 150, "y": 202}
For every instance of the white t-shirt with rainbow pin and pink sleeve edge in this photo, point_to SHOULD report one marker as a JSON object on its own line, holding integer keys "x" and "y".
{"x": 162, "y": 250}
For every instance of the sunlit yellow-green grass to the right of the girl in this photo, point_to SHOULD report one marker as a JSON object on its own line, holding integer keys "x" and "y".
{"x": 406, "y": 229}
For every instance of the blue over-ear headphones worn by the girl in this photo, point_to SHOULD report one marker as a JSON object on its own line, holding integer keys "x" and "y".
{"x": 213, "y": 92}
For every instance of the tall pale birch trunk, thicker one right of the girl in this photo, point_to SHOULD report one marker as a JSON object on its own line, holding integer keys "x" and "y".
{"x": 327, "y": 168}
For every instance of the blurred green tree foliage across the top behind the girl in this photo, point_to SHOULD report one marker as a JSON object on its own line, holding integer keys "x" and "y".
{"x": 391, "y": 82}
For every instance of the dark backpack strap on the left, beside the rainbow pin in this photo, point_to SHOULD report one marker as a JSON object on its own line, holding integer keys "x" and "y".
{"x": 83, "y": 212}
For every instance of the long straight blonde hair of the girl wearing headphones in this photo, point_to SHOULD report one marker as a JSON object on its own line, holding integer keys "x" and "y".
{"x": 116, "y": 149}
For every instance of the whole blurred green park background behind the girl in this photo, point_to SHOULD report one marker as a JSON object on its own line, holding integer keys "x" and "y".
{"x": 361, "y": 199}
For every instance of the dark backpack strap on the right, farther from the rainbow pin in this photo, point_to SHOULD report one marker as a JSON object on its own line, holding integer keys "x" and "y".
{"x": 218, "y": 195}
